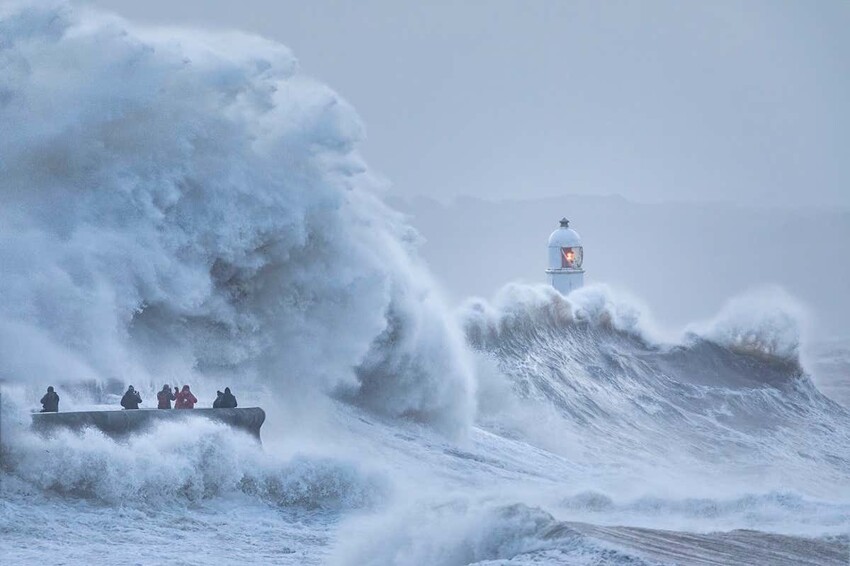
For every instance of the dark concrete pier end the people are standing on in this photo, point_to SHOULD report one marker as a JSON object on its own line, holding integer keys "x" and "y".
{"x": 122, "y": 423}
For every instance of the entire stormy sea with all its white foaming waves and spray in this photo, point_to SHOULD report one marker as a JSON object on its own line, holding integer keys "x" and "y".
{"x": 186, "y": 207}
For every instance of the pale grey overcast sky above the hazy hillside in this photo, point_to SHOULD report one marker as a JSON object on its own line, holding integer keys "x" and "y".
{"x": 741, "y": 101}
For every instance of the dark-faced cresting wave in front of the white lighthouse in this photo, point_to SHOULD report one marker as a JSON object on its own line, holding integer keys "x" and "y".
{"x": 730, "y": 399}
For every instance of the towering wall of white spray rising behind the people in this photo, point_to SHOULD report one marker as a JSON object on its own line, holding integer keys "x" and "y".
{"x": 173, "y": 207}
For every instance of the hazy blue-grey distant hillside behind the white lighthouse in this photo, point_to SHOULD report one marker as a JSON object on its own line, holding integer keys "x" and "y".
{"x": 685, "y": 260}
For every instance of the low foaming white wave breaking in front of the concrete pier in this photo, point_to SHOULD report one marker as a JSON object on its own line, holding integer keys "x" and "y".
{"x": 174, "y": 463}
